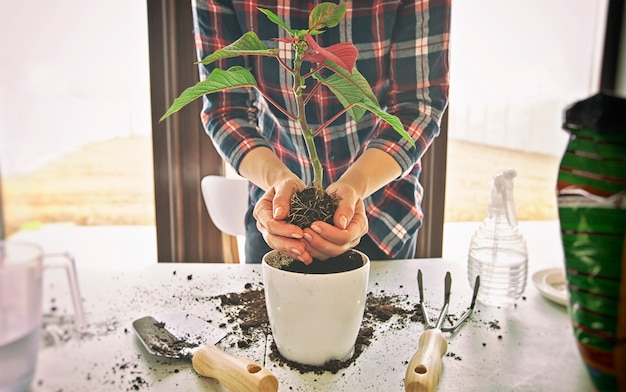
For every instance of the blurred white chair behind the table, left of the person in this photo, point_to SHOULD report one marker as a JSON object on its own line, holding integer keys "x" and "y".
{"x": 226, "y": 200}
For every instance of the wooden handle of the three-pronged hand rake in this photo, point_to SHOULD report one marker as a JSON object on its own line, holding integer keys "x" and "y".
{"x": 425, "y": 367}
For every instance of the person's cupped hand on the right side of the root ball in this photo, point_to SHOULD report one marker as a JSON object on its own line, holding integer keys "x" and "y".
{"x": 323, "y": 240}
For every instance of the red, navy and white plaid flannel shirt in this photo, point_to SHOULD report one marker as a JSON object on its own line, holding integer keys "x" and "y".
{"x": 403, "y": 53}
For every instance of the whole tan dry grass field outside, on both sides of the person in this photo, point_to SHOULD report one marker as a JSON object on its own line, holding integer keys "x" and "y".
{"x": 110, "y": 183}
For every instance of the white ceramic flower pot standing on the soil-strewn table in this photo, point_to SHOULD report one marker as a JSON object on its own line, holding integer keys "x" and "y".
{"x": 315, "y": 318}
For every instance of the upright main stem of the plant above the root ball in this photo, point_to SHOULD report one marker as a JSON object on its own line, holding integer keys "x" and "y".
{"x": 298, "y": 86}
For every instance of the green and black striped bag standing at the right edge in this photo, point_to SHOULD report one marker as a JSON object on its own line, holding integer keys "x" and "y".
{"x": 591, "y": 194}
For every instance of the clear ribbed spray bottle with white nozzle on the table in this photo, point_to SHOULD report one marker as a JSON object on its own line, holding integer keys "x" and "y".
{"x": 498, "y": 252}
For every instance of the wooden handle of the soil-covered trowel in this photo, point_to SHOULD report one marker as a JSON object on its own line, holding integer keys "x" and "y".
{"x": 236, "y": 373}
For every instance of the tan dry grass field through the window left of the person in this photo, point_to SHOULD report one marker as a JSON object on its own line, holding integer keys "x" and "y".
{"x": 103, "y": 183}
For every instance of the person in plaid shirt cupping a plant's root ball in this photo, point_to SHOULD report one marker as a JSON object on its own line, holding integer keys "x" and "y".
{"x": 403, "y": 54}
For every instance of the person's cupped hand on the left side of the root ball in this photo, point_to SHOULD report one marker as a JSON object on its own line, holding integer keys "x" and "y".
{"x": 270, "y": 213}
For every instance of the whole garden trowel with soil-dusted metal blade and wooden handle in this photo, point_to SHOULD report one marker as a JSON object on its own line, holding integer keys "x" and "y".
{"x": 181, "y": 335}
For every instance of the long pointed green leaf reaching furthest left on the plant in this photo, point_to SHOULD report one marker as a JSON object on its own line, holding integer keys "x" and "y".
{"x": 218, "y": 80}
